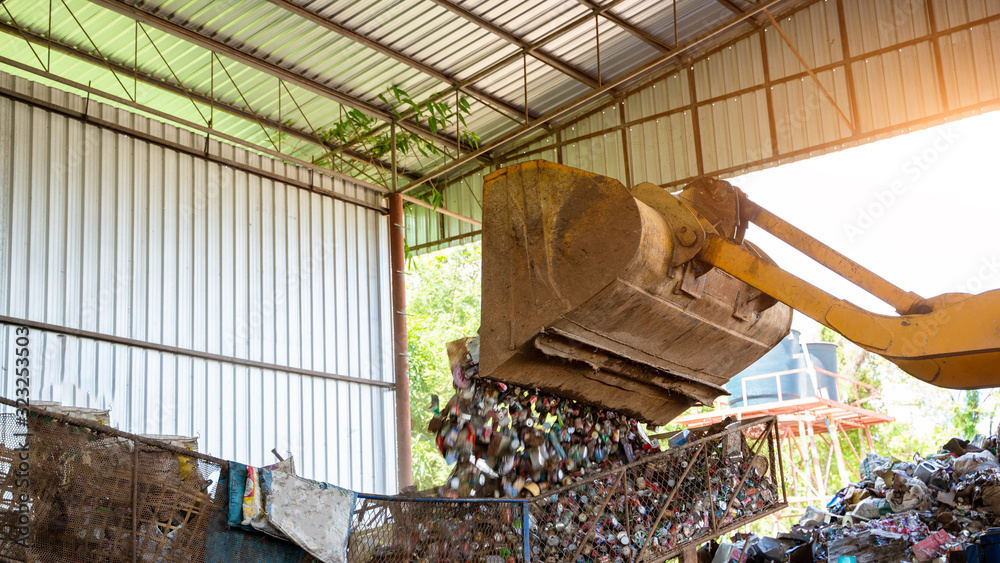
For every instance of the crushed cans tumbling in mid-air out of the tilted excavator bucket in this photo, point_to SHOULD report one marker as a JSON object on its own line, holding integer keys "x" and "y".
{"x": 506, "y": 441}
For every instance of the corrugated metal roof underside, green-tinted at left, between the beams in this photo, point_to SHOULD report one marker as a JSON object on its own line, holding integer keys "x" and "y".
{"x": 423, "y": 30}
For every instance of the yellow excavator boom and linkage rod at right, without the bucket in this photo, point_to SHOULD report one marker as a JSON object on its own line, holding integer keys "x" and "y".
{"x": 952, "y": 340}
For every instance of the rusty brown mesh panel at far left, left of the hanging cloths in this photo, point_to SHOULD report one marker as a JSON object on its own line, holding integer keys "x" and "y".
{"x": 97, "y": 496}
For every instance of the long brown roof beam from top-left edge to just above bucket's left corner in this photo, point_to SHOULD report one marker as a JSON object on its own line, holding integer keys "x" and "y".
{"x": 288, "y": 76}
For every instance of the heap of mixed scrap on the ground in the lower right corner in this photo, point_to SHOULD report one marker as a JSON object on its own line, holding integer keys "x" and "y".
{"x": 940, "y": 508}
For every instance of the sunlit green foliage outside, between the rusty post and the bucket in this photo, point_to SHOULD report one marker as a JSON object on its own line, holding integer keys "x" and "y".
{"x": 442, "y": 305}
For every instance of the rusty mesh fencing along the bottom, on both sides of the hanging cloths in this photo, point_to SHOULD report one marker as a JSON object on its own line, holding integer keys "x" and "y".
{"x": 96, "y": 494}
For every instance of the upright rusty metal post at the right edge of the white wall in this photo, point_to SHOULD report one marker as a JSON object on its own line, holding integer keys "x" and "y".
{"x": 397, "y": 259}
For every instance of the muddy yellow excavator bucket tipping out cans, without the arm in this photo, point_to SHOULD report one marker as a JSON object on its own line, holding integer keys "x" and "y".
{"x": 591, "y": 293}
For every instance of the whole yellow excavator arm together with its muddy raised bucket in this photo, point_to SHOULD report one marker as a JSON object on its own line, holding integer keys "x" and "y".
{"x": 648, "y": 302}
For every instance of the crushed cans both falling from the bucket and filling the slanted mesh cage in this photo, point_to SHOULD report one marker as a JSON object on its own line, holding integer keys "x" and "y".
{"x": 599, "y": 487}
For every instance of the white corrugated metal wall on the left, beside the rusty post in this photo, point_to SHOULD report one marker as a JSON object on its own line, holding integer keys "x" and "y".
{"x": 109, "y": 233}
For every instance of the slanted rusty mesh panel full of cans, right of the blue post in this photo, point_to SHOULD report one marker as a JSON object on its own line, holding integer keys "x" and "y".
{"x": 652, "y": 509}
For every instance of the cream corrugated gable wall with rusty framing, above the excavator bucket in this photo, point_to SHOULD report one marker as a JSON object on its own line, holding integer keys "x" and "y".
{"x": 891, "y": 66}
